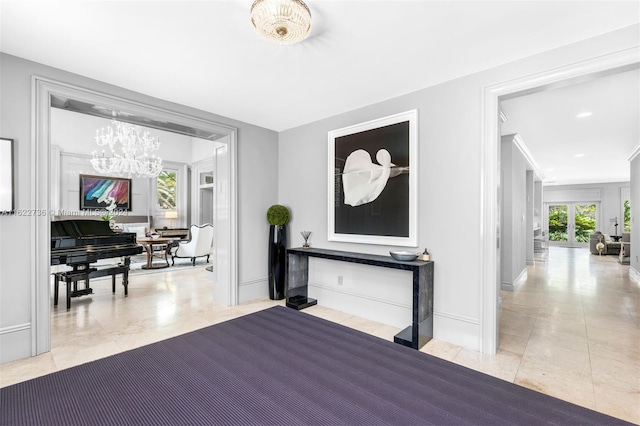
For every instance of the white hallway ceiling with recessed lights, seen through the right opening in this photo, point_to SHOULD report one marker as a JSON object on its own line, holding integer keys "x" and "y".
{"x": 574, "y": 150}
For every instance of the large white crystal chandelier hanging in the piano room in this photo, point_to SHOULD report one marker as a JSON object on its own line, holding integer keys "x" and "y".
{"x": 131, "y": 149}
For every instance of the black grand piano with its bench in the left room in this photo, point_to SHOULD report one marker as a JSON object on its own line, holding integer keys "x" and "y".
{"x": 79, "y": 244}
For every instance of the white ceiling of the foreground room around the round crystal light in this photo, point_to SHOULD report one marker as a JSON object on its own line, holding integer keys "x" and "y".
{"x": 205, "y": 54}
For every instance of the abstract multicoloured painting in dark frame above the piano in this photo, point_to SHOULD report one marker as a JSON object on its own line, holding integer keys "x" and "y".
{"x": 96, "y": 190}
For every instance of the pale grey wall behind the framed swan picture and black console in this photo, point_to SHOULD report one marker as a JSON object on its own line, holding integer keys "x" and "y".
{"x": 450, "y": 175}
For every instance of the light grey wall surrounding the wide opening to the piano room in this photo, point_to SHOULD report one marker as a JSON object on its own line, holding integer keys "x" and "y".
{"x": 257, "y": 154}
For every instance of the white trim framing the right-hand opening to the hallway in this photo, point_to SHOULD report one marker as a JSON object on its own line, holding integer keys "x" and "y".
{"x": 489, "y": 172}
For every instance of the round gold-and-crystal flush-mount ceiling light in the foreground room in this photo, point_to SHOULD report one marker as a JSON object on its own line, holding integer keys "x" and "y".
{"x": 281, "y": 21}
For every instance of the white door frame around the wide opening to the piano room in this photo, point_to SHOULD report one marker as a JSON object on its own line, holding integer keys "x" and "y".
{"x": 43, "y": 89}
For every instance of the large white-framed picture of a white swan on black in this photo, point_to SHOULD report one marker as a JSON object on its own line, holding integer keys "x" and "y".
{"x": 373, "y": 181}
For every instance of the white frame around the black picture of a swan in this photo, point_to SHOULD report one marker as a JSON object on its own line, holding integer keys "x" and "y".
{"x": 410, "y": 241}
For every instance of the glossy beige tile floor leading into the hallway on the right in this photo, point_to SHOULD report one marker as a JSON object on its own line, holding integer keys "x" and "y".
{"x": 570, "y": 331}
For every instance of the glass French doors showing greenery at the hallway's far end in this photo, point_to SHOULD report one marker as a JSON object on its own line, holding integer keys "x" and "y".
{"x": 570, "y": 224}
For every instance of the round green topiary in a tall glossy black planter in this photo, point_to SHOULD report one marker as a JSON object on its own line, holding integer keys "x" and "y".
{"x": 278, "y": 217}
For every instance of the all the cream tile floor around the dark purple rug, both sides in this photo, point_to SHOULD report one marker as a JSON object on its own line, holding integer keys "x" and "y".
{"x": 571, "y": 331}
